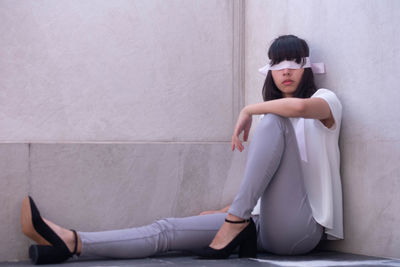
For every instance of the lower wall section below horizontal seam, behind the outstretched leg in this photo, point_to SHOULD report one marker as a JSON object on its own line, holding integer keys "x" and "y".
{"x": 94, "y": 187}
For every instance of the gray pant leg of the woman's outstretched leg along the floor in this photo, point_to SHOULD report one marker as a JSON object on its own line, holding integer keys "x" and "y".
{"x": 163, "y": 235}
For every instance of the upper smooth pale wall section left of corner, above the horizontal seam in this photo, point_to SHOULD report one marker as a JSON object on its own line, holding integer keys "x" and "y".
{"x": 118, "y": 70}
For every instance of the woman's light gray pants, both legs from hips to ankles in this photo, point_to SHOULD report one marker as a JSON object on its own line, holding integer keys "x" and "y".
{"x": 273, "y": 172}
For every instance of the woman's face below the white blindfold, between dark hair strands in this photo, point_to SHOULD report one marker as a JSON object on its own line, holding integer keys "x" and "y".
{"x": 287, "y": 80}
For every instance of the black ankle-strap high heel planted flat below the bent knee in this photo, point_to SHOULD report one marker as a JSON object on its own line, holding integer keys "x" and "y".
{"x": 246, "y": 240}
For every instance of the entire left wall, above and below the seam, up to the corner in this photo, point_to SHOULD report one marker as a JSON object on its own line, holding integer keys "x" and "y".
{"x": 116, "y": 113}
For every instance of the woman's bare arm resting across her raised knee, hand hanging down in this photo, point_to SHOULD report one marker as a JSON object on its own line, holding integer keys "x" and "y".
{"x": 315, "y": 108}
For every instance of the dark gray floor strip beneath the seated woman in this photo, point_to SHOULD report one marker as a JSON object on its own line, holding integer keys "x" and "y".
{"x": 320, "y": 259}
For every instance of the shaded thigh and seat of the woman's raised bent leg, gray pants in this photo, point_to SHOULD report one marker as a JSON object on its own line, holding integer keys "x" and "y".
{"x": 286, "y": 224}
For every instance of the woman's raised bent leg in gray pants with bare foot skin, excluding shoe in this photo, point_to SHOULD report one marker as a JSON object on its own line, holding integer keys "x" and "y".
{"x": 273, "y": 172}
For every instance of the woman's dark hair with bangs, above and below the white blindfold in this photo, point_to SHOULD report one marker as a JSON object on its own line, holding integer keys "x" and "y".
{"x": 289, "y": 47}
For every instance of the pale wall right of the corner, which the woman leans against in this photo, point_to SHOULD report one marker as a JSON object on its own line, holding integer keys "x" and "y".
{"x": 360, "y": 45}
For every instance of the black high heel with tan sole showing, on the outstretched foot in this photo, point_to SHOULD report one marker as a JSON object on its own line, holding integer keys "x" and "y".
{"x": 54, "y": 250}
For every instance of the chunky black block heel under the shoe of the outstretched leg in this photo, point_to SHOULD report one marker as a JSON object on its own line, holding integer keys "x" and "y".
{"x": 41, "y": 254}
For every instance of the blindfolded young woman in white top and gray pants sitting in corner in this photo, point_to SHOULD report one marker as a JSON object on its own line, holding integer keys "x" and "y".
{"x": 292, "y": 167}
